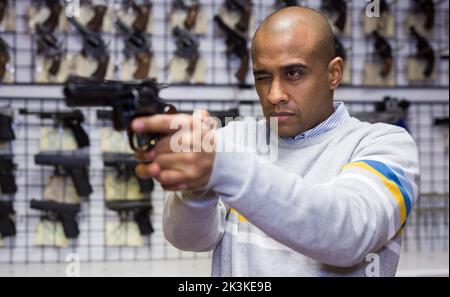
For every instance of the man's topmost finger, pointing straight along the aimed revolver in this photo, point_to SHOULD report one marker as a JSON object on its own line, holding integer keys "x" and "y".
{"x": 161, "y": 123}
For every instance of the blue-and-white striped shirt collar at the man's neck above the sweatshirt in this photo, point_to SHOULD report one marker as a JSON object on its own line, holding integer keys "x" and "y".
{"x": 339, "y": 116}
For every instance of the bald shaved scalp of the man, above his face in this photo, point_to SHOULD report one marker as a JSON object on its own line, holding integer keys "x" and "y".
{"x": 299, "y": 24}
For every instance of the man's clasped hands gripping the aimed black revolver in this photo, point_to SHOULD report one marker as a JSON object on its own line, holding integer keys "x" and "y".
{"x": 184, "y": 158}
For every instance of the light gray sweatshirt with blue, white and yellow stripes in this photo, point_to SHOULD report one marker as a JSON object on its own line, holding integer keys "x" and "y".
{"x": 330, "y": 205}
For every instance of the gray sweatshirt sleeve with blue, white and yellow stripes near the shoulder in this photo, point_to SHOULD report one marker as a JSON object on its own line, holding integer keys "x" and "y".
{"x": 339, "y": 222}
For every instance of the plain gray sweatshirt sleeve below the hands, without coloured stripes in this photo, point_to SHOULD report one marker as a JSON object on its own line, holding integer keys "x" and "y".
{"x": 193, "y": 224}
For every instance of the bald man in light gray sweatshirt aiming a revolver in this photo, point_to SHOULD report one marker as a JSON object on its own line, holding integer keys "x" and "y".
{"x": 335, "y": 200}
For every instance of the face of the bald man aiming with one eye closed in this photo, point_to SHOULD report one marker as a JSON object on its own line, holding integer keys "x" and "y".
{"x": 291, "y": 81}
